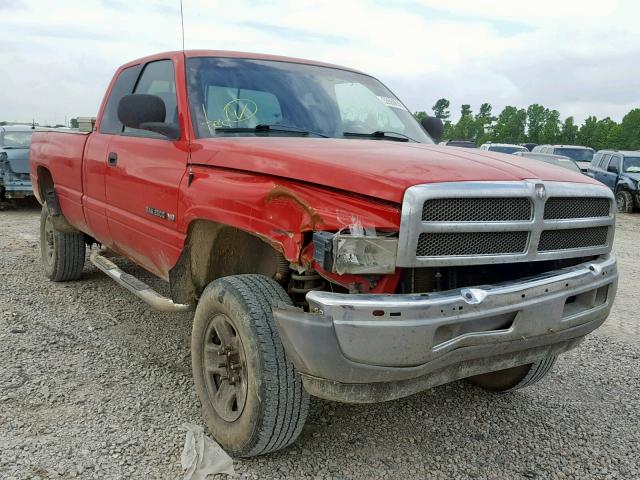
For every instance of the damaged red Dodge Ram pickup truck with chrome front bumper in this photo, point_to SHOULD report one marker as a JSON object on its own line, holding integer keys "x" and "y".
{"x": 327, "y": 245}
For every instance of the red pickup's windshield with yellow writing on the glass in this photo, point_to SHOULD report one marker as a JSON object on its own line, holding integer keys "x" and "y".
{"x": 237, "y": 95}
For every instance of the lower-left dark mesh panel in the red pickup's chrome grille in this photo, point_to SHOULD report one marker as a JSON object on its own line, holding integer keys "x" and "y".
{"x": 474, "y": 243}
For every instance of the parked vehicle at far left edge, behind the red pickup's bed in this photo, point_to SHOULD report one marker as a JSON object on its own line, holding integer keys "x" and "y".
{"x": 14, "y": 162}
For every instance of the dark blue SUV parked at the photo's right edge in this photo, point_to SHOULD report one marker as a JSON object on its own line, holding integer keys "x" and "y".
{"x": 620, "y": 171}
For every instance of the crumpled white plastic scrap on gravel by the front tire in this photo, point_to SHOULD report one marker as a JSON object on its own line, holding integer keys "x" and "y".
{"x": 201, "y": 456}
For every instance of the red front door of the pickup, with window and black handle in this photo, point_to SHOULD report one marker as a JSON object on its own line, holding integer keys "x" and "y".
{"x": 143, "y": 174}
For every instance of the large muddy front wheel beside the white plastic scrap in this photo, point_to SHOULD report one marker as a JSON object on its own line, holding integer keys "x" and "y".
{"x": 253, "y": 401}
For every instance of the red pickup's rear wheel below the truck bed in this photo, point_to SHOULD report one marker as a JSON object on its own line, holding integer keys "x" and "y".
{"x": 63, "y": 254}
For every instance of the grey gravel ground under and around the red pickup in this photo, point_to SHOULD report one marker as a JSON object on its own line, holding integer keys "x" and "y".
{"x": 93, "y": 384}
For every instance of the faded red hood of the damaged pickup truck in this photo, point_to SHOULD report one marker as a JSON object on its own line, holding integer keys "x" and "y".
{"x": 376, "y": 168}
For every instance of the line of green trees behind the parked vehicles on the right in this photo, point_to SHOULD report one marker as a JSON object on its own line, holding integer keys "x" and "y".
{"x": 537, "y": 124}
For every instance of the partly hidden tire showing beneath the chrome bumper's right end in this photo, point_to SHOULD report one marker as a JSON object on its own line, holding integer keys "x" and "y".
{"x": 514, "y": 378}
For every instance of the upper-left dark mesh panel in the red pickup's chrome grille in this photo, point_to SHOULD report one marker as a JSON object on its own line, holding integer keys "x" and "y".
{"x": 476, "y": 210}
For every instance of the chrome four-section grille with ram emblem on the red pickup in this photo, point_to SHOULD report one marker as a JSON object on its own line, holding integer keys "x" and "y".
{"x": 479, "y": 223}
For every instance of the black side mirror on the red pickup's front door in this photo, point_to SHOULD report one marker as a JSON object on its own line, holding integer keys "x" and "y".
{"x": 146, "y": 112}
